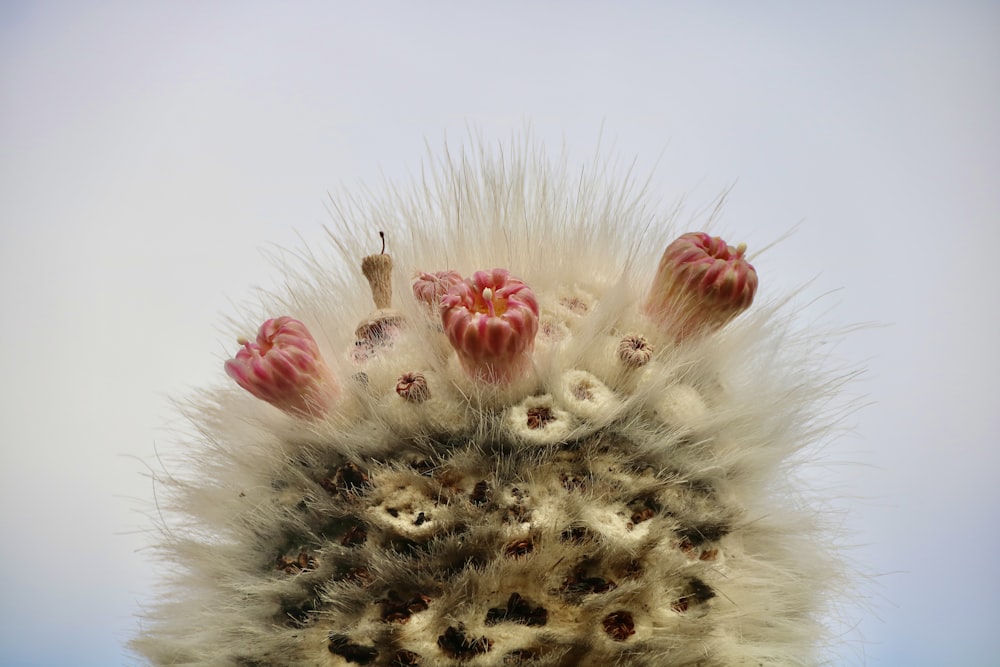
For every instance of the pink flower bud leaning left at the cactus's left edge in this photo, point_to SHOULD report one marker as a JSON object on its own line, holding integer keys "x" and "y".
{"x": 284, "y": 368}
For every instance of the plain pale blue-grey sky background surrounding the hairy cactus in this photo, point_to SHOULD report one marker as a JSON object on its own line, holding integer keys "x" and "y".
{"x": 150, "y": 150}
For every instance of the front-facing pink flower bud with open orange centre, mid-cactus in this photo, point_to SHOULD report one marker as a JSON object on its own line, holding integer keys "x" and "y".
{"x": 491, "y": 320}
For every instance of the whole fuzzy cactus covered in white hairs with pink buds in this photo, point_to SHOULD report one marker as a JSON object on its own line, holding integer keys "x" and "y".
{"x": 570, "y": 460}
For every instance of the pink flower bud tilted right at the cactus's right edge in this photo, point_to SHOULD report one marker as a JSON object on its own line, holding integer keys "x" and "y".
{"x": 700, "y": 285}
